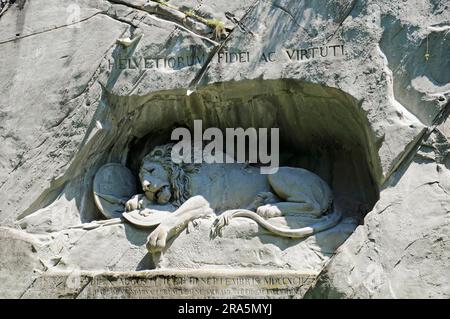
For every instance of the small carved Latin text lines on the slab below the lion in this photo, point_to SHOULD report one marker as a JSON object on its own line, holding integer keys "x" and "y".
{"x": 279, "y": 286}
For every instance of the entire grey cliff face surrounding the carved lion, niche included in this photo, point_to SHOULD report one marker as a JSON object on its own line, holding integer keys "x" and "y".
{"x": 359, "y": 89}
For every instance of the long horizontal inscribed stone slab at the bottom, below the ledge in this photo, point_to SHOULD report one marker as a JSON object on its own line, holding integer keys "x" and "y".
{"x": 173, "y": 284}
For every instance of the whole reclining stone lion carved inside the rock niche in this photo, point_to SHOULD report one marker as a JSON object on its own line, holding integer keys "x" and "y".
{"x": 229, "y": 190}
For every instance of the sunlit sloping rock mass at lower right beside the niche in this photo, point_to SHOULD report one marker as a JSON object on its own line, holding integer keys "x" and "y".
{"x": 402, "y": 250}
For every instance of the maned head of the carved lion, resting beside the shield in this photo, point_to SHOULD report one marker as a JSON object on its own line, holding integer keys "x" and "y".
{"x": 162, "y": 180}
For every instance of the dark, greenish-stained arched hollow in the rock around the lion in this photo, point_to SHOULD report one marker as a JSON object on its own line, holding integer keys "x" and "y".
{"x": 321, "y": 129}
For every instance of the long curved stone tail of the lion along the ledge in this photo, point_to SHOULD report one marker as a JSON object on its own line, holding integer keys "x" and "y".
{"x": 328, "y": 221}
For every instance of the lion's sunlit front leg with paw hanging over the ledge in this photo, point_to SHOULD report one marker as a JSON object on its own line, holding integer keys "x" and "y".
{"x": 194, "y": 208}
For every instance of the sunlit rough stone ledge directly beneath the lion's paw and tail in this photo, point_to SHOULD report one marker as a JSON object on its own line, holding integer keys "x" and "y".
{"x": 245, "y": 245}
